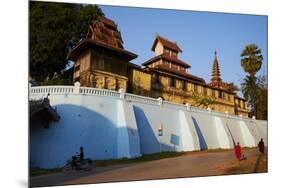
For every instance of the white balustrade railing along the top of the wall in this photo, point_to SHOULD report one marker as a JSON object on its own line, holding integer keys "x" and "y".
{"x": 76, "y": 89}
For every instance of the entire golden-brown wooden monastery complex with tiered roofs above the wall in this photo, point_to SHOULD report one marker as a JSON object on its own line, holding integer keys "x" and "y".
{"x": 102, "y": 62}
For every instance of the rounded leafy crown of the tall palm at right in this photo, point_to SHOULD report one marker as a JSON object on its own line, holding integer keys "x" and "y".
{"x": 251, "y": 59}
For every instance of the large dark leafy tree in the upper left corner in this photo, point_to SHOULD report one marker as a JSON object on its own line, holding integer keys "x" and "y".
{"x": 55, "y": 28}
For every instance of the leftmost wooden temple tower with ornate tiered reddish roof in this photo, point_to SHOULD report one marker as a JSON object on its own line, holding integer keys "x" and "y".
{"x": 100, "y": 59}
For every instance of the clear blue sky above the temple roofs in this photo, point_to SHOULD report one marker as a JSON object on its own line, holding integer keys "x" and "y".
{"x": 198, "y": 34}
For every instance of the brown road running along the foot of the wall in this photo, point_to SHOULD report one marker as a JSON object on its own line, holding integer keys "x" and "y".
{"x": 196, "y": 164}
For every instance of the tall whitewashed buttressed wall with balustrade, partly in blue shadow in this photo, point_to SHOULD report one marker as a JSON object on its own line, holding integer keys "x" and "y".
{"x": 111, "y": 124}
